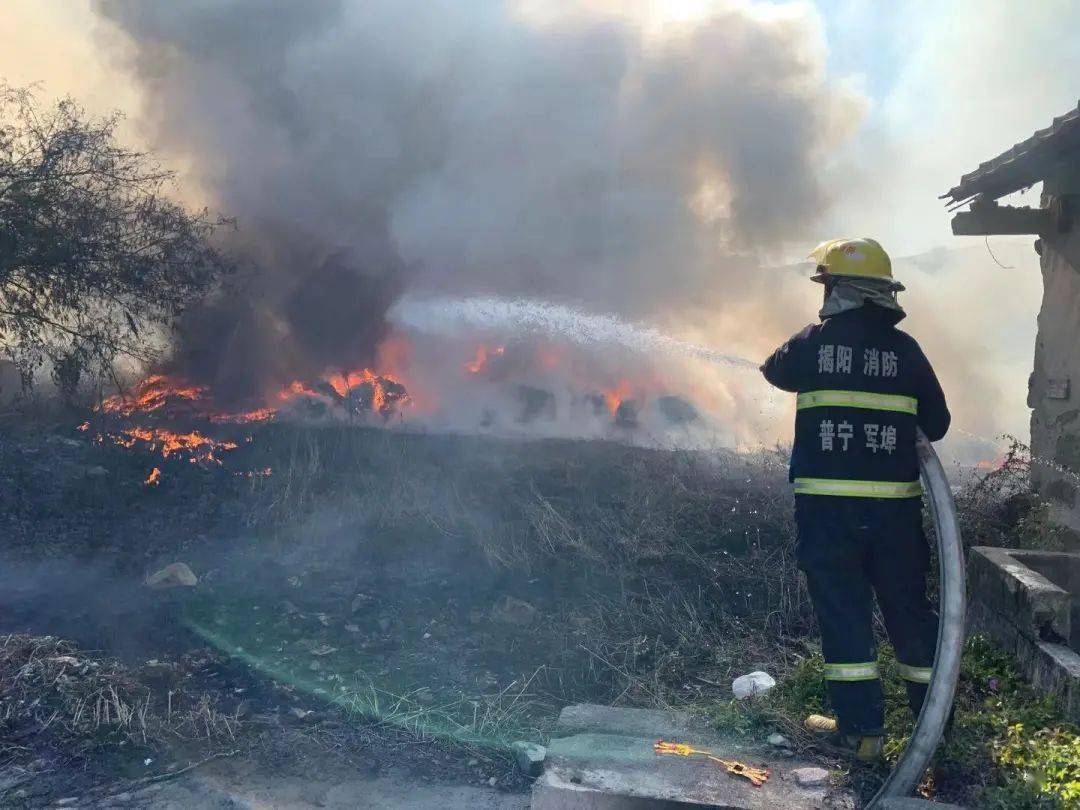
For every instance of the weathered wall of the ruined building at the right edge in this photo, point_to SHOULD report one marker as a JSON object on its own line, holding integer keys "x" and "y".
{"x": 1055, "y": 391}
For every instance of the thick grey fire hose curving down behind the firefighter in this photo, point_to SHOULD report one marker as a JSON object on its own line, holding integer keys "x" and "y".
{"x": 951, "y": 629}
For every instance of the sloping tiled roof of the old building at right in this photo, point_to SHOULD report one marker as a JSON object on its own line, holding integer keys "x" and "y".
{"x": 1025, "y": 165}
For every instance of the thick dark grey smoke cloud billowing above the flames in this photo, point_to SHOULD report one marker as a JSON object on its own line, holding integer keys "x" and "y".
{"x": 372, "y": 147}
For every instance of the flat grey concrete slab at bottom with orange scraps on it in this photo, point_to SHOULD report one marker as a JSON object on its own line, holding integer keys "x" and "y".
{"x": 610, "y": 765}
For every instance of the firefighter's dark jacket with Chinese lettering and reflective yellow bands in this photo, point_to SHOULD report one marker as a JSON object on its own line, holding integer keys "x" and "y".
{"x": 863, "y": 386}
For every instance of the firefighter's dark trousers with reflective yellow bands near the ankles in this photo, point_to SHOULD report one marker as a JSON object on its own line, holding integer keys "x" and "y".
{"x": 852, "y": 549}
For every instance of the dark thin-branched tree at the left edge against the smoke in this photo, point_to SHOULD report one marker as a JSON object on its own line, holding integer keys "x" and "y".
{"x": 93, "y": 255}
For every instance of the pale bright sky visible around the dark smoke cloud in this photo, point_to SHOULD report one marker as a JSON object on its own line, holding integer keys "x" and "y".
{"x": 941, "y": 88}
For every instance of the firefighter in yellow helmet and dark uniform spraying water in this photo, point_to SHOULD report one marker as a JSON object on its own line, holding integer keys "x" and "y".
{"x": 863, "y": 388}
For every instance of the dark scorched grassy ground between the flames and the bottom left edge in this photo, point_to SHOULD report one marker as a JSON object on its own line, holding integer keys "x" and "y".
{"x": 394, "y": 603}
